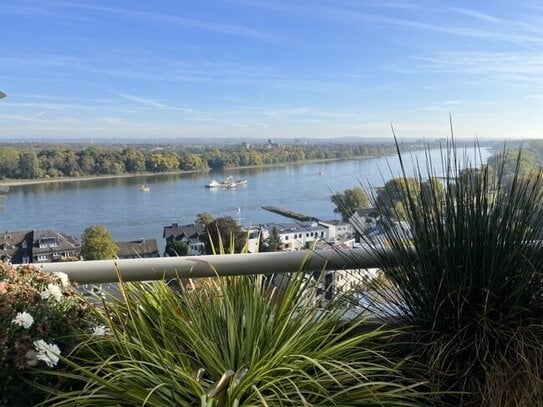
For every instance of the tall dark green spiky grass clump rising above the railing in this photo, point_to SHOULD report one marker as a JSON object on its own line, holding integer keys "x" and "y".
{"x": 467, "y": 280}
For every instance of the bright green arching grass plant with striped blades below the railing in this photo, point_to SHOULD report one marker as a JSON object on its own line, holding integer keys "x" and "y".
{"x": 234, "y": 341}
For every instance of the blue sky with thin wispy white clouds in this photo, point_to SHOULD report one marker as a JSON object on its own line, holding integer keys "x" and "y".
{"x": 270, "y": 68}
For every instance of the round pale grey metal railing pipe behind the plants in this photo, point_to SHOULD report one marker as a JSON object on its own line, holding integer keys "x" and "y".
{"x": 105, "y": 271}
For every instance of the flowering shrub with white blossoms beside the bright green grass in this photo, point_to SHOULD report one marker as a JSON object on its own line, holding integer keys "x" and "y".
{"x": 41, "y": 315}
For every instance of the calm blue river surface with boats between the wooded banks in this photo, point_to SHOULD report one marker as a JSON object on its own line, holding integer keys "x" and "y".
{"x": 131, "y": 214}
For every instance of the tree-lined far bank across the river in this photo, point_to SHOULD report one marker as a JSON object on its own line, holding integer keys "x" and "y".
{"x": 54, "y": 163}
